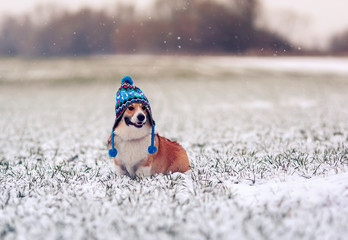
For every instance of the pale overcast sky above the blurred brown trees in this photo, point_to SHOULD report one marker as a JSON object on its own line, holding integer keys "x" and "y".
{"x": 305, "y": 22}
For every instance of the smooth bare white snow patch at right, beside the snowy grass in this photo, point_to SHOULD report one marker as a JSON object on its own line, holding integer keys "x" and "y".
{"x": 317, "y": 191}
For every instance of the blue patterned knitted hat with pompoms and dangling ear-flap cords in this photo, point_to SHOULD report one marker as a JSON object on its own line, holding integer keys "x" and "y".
{"x": 126, "y": 95}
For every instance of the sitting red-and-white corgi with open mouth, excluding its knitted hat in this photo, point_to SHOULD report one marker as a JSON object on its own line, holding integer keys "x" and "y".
{"x": 132, "y": 134}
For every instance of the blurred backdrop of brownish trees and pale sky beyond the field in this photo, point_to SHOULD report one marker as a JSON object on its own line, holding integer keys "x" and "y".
{"x": 47, "y": 28}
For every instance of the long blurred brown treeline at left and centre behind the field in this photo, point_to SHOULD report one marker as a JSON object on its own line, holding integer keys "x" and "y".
{"x": 186, "y": 26}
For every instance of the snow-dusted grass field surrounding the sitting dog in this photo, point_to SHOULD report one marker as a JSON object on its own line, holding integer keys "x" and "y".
{"x": 267, "y": 139}
